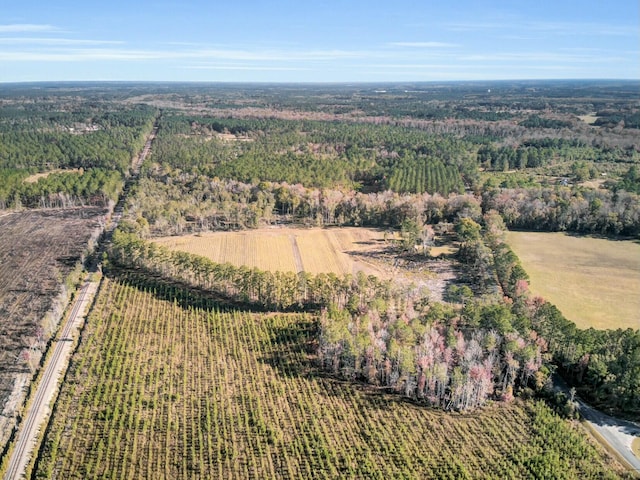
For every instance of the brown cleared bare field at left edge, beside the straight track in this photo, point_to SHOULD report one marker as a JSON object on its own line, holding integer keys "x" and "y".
{"x": 38, "y": 250}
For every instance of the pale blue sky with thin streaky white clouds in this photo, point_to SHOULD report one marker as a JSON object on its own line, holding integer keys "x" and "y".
{"x": 318, "y": 41}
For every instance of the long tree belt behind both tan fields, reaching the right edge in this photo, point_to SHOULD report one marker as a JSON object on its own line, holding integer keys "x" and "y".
{"x": 172, "y": 202}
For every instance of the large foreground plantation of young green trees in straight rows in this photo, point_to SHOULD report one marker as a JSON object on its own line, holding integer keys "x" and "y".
{"x": 165, "y": 385}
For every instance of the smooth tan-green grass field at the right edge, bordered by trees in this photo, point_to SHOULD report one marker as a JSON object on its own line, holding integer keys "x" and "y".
{"x": 594, "y": 282}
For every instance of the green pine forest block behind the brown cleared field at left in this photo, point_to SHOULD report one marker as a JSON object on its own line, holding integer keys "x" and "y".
{"x": 97, "y": 146}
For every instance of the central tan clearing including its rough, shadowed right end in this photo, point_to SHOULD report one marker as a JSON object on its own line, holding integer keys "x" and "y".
{"x": 339, "y": 250}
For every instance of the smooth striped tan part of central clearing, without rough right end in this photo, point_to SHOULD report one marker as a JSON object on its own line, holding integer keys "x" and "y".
{"x": 313, "y": 250}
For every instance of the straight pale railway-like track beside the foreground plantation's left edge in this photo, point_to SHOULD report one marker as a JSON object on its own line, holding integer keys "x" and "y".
{"x": 37, "y": 413}
